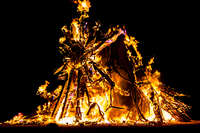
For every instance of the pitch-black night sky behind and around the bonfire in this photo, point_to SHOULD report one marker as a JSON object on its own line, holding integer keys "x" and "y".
{"x": 30, "y": 31}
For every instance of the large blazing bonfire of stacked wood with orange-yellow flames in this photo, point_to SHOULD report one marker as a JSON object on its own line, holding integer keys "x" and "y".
{"x": 95, "y": 88}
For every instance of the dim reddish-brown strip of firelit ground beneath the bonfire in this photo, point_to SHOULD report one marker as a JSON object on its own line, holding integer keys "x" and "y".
{"x": 192, "y": 124}
